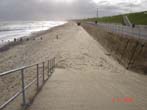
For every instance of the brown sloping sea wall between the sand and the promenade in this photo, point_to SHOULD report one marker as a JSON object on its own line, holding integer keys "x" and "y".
{"x": 129, "y": 51}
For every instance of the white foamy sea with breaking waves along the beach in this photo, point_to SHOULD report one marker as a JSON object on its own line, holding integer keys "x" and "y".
{"x": 17, "y": 29}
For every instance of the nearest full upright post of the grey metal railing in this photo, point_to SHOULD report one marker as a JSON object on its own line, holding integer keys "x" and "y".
{"x": 23, "y": 88}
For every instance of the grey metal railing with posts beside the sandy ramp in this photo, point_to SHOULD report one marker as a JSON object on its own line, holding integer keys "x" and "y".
{"x": 50, "y": 70}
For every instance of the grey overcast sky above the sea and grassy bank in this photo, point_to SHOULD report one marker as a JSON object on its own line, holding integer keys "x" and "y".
{"x": 66, "y": 9}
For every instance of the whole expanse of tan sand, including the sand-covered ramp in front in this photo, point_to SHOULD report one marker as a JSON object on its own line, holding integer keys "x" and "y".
{"x": 86, "y": 77}
